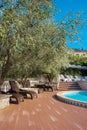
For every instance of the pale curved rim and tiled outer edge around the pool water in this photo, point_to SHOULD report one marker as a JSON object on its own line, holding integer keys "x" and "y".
{"x": 71, "y": 101}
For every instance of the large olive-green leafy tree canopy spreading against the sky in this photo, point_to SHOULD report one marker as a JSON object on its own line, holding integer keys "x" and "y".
{"x": 30, "y": 44}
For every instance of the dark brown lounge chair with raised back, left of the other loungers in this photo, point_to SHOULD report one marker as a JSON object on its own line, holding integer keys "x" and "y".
{"x": 15, "y": 89}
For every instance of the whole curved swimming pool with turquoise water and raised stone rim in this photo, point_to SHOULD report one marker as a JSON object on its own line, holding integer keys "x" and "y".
{"x": 78, "y": 98}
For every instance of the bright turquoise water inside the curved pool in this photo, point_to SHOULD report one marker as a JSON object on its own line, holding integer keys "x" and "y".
{"x": 76, "y": 95}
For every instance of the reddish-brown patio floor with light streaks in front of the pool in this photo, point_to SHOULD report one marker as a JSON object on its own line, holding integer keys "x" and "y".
{"x": 43, "y": 113}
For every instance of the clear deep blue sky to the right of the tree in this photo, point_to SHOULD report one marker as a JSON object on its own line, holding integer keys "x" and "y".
{"x": 75, "y": 5}
